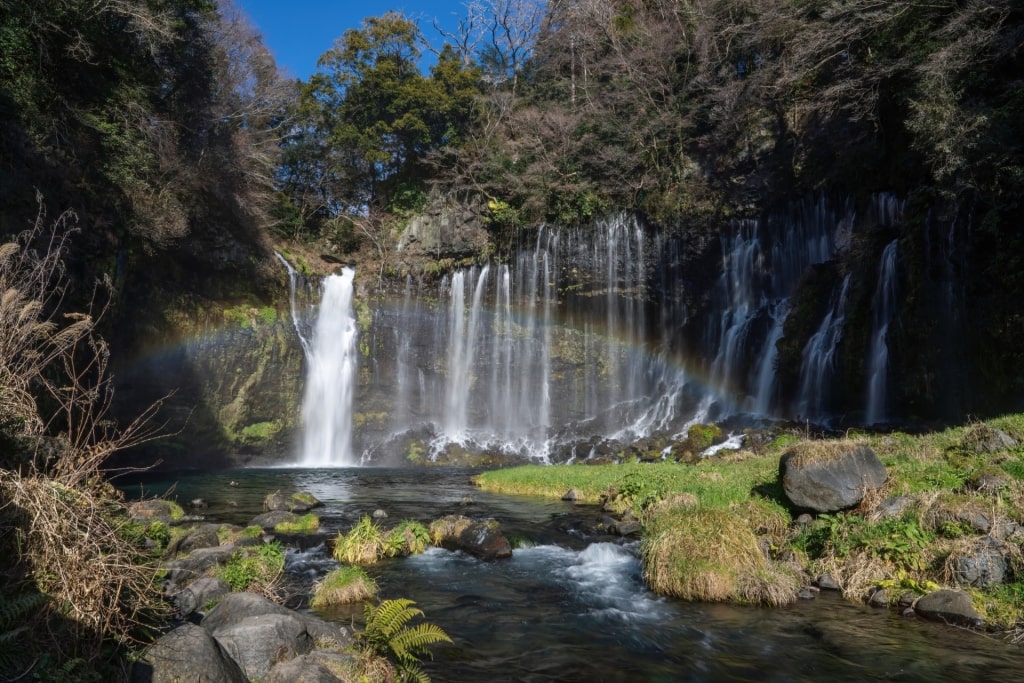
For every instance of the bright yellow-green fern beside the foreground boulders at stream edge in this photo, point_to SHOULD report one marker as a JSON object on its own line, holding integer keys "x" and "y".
{"x": 387, "y": 634}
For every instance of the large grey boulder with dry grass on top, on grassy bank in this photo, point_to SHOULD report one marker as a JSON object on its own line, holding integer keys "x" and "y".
{"x": 830, "y": 477}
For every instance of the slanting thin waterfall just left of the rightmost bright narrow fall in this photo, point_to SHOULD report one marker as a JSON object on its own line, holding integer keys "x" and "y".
{"x": 820, "y": 359}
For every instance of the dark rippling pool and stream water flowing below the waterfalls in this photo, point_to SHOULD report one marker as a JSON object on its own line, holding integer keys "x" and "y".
{"x": 561, "y": 611}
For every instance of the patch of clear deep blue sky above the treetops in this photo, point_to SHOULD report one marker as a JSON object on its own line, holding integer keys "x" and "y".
{"x": 300, "y": 31}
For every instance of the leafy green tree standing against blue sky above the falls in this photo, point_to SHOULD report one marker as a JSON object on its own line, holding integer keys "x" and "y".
{"x": 369, "y": 120}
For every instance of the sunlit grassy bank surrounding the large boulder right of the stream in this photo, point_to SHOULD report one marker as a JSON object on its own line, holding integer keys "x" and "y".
{"x": 722, "y": 529}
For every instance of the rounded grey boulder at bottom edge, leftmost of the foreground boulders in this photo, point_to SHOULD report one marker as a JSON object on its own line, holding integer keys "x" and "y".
{"x": 187, "y": 654}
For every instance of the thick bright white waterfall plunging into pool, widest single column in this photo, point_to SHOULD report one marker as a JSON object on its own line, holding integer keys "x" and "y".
{"x": 327, "y": 409}
